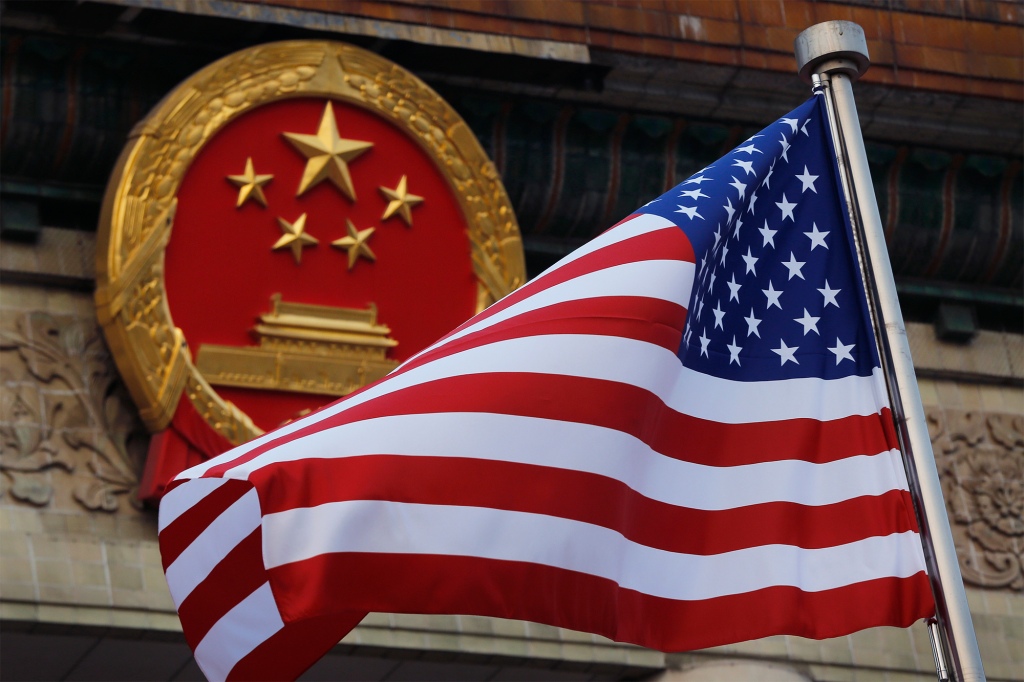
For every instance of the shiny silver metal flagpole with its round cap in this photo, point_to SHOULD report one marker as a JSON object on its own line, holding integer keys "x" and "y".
{"x": 834, "y": 55}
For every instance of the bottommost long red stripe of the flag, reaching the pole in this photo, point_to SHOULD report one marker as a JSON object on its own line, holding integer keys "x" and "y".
{"x": 431, "y": 584}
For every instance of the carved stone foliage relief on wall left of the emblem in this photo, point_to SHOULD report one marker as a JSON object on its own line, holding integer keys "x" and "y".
{"x": 64, "y": 413}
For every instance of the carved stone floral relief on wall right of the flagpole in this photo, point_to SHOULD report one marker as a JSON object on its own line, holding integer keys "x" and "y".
{"x": 980, "y": 457}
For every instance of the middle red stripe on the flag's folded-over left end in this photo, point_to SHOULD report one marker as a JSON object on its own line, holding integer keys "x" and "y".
{"x": 237, "y": 577}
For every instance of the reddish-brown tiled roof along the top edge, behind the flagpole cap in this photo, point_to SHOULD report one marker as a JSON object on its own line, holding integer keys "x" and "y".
{"x": 965, "y": 48}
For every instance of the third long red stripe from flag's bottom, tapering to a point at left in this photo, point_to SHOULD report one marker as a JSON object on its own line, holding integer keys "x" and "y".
{"x": 623, "y": 408}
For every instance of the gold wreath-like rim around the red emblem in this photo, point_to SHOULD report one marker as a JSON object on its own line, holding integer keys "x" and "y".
{"x": 139, "y": 208}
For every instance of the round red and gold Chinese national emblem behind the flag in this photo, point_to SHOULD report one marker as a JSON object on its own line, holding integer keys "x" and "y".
{"x": 284, "y": 229}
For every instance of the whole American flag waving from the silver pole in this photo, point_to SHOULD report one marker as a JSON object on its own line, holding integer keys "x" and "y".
{"x": 678, "y": 437}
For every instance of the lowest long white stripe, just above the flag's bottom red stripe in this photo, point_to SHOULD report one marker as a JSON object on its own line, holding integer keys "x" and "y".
{"x": 411, "y": 529}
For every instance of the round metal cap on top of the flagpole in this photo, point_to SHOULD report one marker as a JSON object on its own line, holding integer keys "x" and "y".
{"x": 831, "y": 48}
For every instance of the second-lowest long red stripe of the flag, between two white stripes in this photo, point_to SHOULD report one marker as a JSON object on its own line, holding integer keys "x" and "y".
{"x": 568, "y": 494}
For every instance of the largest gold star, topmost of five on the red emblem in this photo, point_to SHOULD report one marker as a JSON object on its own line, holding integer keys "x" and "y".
{"x": 327, "y": 155}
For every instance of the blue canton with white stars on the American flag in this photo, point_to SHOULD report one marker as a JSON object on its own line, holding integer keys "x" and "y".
{"x": 778, "y": 293}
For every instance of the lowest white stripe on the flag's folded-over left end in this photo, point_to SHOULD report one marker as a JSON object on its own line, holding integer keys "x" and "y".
{"x": 252, "y": 622}
